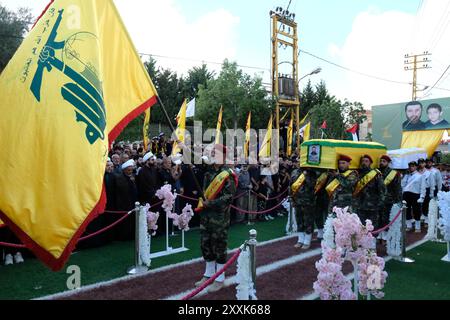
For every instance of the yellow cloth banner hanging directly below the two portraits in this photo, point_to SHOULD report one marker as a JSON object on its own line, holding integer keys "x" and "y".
{"x": 428, "y": 140}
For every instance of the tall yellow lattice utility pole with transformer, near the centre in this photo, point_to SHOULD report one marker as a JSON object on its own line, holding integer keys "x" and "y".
{"x": 284, "y": 86}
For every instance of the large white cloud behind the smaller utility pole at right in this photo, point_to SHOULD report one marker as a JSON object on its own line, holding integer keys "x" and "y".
{"x": 377, "y": 45}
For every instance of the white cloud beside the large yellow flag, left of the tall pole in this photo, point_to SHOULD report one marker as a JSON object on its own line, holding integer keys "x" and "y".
{"x": 161, "y": 28}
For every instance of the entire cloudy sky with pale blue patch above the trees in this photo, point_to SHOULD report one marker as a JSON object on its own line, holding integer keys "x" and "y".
{"x": 370, "y": 37}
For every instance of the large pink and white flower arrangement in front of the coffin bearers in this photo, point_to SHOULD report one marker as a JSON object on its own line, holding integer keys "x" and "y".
{"x": 354, "y": 242}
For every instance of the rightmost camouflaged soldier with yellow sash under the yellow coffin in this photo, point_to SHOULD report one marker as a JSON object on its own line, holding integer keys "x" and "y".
{"x": 393, "y": 182}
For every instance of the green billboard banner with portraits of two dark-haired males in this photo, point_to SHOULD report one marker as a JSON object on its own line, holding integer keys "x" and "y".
{"x": 389, "y": 121}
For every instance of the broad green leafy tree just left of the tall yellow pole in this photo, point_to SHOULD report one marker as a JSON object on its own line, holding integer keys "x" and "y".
{"x": 239, "y": 94}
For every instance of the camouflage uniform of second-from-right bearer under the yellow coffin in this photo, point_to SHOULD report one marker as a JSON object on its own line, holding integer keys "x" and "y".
{"x": 369, "y": 202}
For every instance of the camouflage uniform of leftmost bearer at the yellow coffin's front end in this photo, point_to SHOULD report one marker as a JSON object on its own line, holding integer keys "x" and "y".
{"x": 304, "y": 201}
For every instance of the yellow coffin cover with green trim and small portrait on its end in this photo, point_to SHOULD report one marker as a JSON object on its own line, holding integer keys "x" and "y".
{"x": 324, "y": 154}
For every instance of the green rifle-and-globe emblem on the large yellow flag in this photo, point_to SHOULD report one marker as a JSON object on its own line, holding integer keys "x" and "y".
{"x": 84, "y": 92}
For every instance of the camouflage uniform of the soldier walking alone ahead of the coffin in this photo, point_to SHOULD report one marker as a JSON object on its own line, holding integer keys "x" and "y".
{"x": 215, "y": 219}
